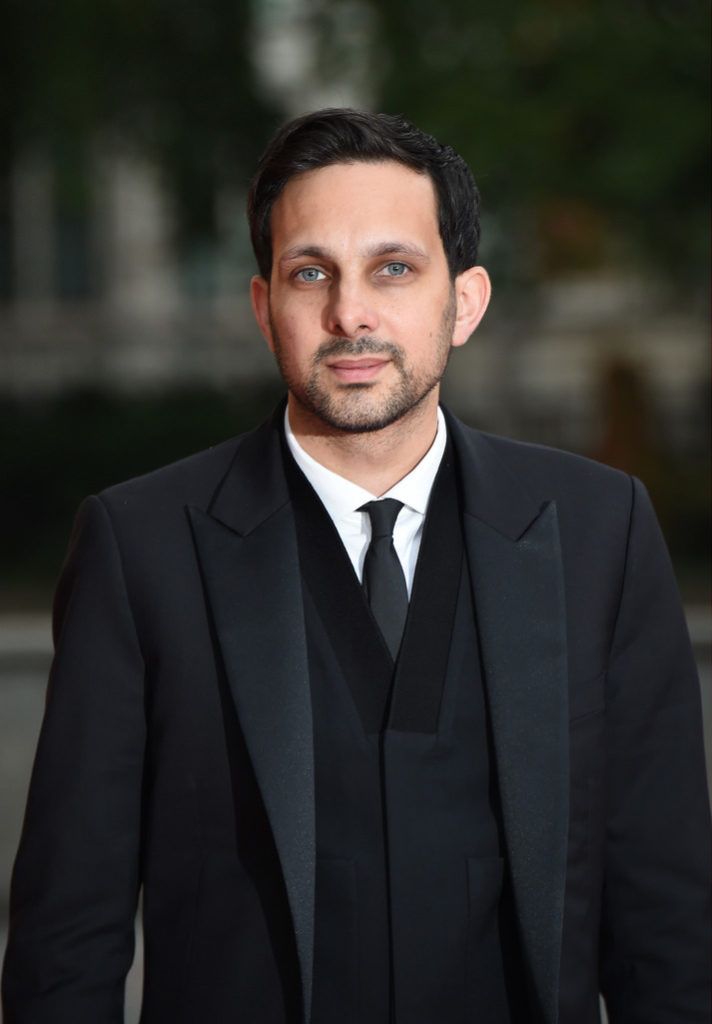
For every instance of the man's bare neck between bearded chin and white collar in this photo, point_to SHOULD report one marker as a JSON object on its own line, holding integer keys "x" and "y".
{"x": 375, "y": 460}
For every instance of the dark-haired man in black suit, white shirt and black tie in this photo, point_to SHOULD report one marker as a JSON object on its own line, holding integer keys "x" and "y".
{"x": 395, "y": 722}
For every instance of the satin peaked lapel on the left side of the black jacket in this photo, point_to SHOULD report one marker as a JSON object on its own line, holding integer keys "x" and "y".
{"x": 247, "y": 548}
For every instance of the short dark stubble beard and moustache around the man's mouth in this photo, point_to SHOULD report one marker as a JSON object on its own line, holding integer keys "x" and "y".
{"x": 358, "y": 408}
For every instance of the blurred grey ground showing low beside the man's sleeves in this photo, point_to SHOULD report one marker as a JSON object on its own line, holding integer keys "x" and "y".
{"x": 25, "y": 659}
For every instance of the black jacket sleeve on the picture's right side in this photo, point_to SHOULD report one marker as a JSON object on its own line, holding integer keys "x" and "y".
{"x": 656, "y": 937}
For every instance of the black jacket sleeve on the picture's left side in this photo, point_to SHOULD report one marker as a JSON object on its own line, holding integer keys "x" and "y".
{"x": 76, "y": 878}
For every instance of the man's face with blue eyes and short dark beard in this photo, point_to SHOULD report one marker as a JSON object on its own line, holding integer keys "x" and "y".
{"x": 360, "y": 310}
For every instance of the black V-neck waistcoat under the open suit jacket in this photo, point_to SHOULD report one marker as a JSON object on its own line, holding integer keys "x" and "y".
{"x": 409, "y": 866}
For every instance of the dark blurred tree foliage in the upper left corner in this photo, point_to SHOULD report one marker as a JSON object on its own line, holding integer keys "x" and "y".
{"x": 173, "y": 80}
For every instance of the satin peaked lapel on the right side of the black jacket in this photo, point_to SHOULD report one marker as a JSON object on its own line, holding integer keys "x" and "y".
{"x": 516, "y": 562}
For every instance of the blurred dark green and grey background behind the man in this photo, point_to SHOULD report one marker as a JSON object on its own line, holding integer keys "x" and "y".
{"x": 129, "y": 134}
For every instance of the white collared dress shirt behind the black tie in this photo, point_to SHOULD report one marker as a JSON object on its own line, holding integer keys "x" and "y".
{"x": 343, "y": 499}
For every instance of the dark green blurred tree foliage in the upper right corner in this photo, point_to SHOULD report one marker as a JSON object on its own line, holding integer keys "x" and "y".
{"x": 587, "y": 121}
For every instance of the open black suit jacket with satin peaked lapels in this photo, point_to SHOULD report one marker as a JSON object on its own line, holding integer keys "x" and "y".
{"x": 177, "y": 750}
